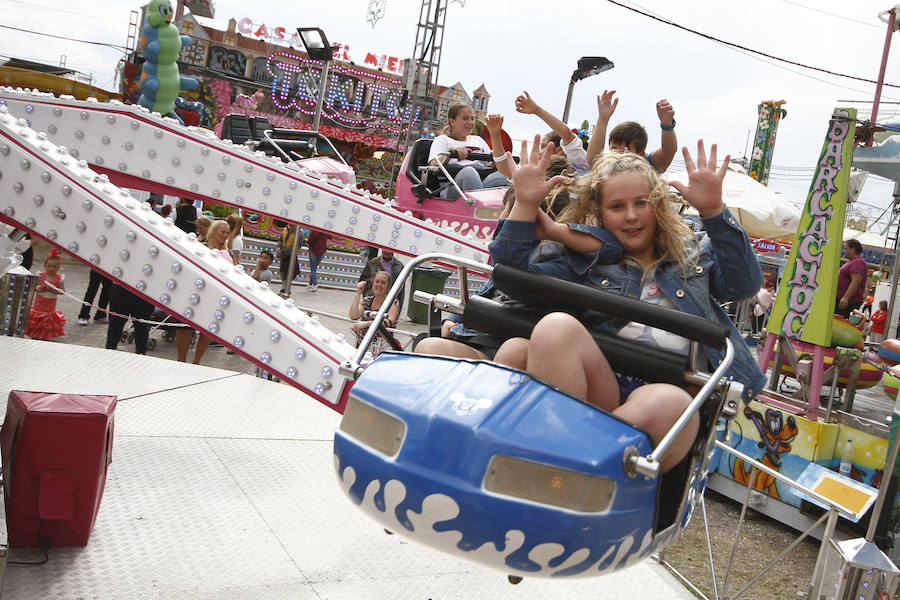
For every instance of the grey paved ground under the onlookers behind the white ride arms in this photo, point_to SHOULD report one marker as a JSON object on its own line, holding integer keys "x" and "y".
{"x": 328, "y": 300}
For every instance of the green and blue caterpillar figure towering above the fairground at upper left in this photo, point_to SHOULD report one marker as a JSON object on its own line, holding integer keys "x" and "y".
{"x": 160, "y": 80}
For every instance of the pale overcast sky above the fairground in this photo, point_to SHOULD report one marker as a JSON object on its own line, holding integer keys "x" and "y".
{"x": 526, "y": 44}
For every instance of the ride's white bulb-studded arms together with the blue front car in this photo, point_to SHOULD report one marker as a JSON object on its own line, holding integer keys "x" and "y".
{"x": 61, "y": 186}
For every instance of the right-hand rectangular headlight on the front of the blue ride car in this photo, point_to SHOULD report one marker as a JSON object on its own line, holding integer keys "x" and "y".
{"x": 547, "y": 484}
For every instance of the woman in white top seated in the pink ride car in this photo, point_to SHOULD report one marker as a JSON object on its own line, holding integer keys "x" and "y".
{"x": 457, "y": 135}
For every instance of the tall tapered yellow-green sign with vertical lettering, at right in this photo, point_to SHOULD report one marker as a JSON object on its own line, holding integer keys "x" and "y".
{"x": 804, "y": 307}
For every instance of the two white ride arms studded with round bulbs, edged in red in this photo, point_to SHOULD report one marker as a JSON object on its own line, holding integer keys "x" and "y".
{"x": 48, "y": 187}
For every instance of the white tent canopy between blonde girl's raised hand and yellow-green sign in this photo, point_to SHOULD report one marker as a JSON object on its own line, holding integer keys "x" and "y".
{"x": 761, "y": 212}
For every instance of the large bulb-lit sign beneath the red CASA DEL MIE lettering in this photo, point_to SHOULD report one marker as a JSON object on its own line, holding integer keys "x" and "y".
{"x": 352, "y": 97}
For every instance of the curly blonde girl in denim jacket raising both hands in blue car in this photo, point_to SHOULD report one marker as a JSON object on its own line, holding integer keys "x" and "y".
{"x": 662, "y": 262}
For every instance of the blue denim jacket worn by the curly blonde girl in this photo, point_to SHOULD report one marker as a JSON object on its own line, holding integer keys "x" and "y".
{"x": 722, "y": 268}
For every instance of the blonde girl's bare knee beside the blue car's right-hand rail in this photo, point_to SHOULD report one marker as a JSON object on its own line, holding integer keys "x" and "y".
{"x": 654, "y": 408}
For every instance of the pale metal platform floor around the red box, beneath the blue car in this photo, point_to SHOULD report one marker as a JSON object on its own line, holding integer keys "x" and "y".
{"x": 222, "y": 486}
